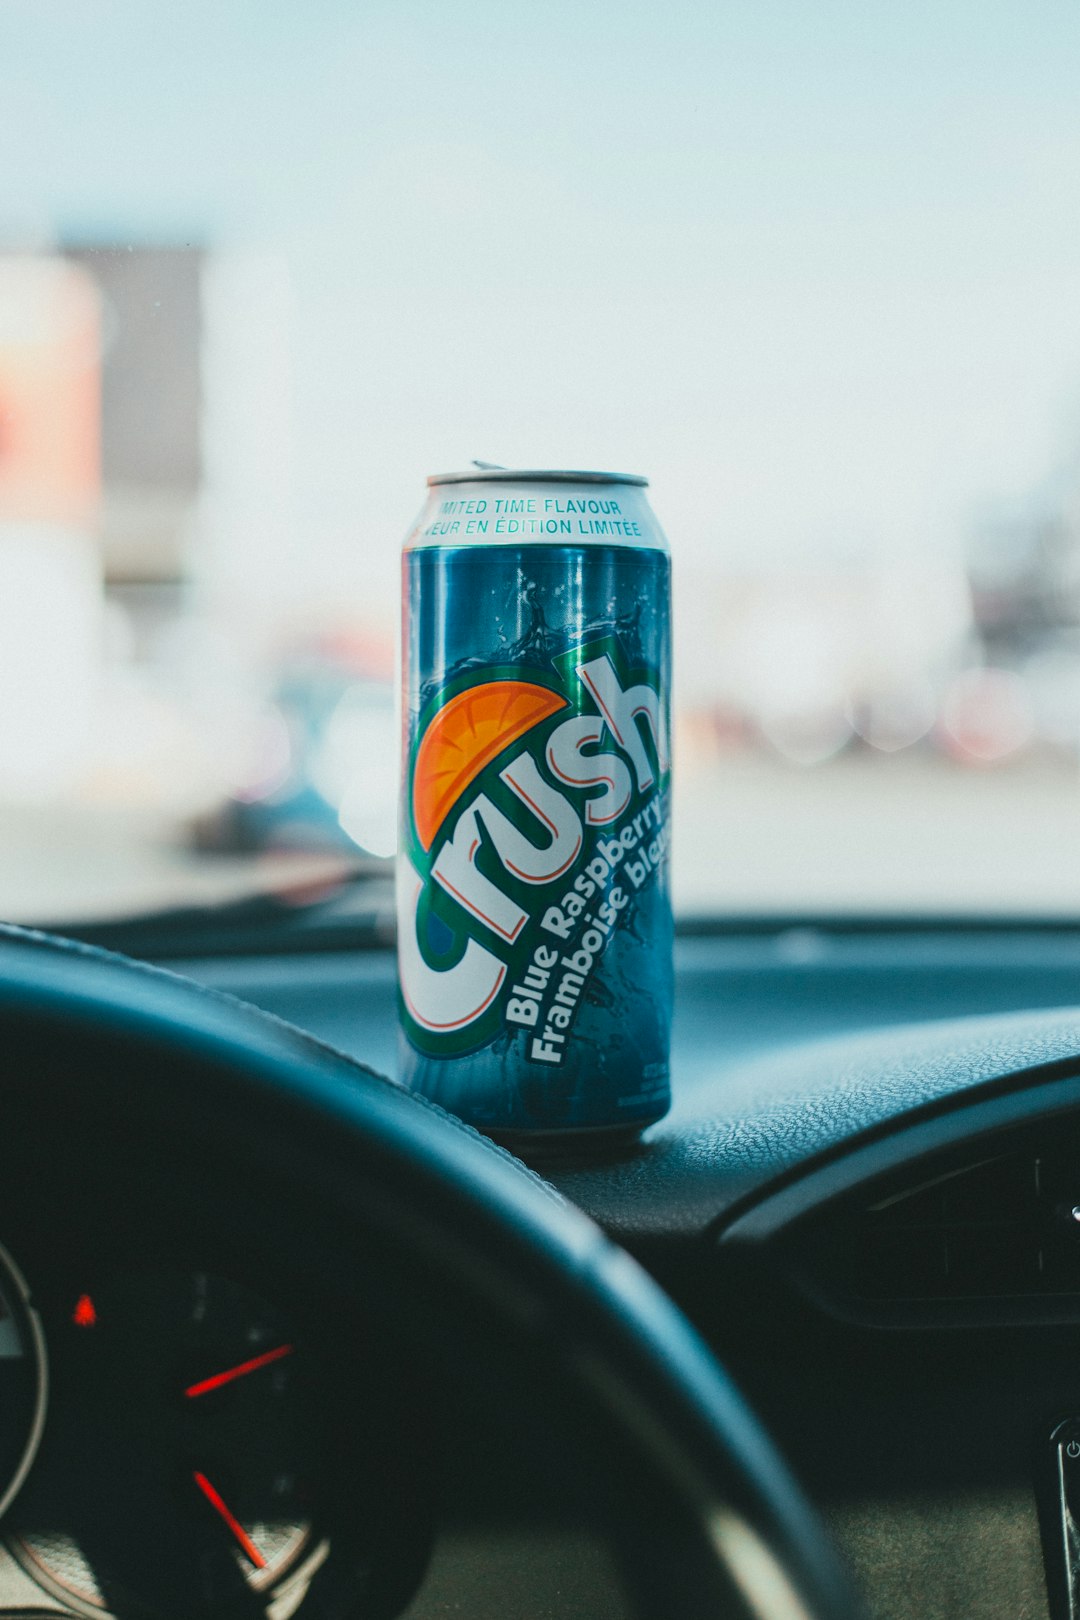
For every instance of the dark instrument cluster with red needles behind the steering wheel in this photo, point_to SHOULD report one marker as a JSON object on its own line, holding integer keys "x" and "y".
{"x": 174, "y": 1443}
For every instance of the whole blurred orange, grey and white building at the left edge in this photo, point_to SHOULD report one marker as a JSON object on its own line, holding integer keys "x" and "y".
{"x": 101, "y": 362}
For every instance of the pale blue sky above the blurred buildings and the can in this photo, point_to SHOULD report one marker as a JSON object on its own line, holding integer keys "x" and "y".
{"x": 815, "y": 270}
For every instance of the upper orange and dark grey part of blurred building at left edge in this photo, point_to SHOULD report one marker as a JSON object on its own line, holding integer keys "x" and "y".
{"x": 100, "y": 407}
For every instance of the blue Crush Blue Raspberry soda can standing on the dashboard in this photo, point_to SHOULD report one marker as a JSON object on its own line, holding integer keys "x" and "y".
{"x": 535, "y": 923}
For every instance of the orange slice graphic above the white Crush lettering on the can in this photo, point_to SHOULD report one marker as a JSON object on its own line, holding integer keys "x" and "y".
{"x": 464, "y": 738}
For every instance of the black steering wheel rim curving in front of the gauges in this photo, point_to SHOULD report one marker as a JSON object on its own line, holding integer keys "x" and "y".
{"x": 197, "y": 1060}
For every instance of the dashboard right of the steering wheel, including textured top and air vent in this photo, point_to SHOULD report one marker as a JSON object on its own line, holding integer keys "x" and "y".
{"x": 864, "y": 1200}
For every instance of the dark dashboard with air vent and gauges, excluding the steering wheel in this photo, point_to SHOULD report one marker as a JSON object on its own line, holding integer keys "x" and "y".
{"x": 864, "y": 1198}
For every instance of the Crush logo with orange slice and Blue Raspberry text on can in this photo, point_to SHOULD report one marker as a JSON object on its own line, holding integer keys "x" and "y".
{"x": 537, "y": 814}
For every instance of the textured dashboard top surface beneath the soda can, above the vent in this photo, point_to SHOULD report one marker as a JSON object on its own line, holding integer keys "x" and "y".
{"x": 786, "y": 1049}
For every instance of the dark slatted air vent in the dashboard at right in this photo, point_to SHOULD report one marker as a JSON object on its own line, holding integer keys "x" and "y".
{"x": 1001, "y": 1227}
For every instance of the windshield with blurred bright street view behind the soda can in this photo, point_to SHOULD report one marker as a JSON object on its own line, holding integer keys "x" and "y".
{"x": 814, "y": 271}
